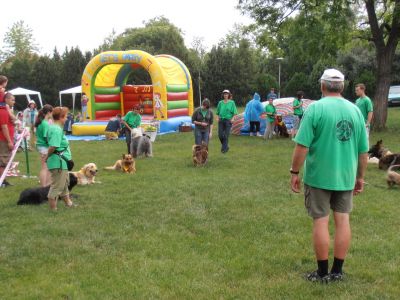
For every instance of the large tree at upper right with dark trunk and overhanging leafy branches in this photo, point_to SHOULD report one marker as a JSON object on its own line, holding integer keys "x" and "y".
{"x": 382, "y": 29}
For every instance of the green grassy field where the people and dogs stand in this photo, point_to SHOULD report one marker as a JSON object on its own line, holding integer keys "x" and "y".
{"x": 230, "y": 230}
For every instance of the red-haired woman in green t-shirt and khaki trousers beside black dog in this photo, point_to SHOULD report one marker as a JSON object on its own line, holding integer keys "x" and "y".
{"x": 58, "y": 145}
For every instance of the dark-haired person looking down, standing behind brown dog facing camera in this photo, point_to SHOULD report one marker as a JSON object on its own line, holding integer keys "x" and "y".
{"x": 203, "y": 119}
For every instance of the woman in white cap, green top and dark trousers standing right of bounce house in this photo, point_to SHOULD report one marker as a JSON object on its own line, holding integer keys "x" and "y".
{"x": 226, "y": 110}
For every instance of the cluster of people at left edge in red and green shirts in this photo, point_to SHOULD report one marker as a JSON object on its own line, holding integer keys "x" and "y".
{"x": 46, "y": 129}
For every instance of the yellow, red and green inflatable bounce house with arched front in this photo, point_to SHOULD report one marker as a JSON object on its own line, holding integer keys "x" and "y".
{"x": 167, "y": 102}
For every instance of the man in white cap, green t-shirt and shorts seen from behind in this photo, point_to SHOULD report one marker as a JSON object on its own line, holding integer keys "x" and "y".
{"x": 332, "y": 141}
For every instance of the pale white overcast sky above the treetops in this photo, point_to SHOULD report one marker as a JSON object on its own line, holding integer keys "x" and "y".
{"x": 86, "y": 23}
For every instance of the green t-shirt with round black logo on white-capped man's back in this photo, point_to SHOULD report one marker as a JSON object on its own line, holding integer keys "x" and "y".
{"x": 333, "y": 130}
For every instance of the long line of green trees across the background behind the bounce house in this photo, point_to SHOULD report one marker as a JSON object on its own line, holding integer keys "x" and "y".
{"x": 245, "y": 61}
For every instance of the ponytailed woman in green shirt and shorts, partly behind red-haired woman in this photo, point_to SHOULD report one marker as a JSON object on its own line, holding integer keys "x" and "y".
{"x": 42, "y": 125}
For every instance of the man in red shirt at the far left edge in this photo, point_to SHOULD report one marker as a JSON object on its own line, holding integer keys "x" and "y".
{"x": 6, "y": 133}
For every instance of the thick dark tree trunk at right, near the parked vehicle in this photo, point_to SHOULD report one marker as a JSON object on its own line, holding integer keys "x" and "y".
{"x": 383, "y": 80}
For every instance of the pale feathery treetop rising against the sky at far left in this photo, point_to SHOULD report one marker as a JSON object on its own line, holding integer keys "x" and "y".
{"x": 18, "y": 42}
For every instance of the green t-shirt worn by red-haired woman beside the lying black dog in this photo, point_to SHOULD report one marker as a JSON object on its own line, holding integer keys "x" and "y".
{"x": 57, "y": 139}
